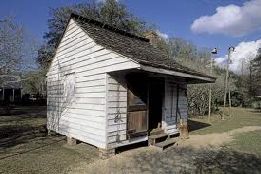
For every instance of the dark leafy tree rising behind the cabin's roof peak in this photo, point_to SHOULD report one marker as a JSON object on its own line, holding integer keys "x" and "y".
{"x": 110, "y": 12}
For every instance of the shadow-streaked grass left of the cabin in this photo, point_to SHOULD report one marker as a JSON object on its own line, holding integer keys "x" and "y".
{"x": 25, "y": 147}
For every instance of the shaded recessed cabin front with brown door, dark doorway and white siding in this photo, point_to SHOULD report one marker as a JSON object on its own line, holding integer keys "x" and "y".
{"x": 154, "y": 104}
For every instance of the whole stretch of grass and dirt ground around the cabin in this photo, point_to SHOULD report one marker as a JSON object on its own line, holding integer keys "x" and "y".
{"x": 226, "y": 146}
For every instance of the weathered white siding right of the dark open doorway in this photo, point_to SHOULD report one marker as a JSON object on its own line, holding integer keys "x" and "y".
{"x": 175, "y": 104}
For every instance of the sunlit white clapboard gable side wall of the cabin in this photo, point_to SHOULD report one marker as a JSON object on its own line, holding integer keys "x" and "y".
{"x": 82, "y": 115}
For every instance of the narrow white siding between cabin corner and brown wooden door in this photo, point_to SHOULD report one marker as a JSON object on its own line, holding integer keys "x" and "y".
{"x": 117, "y": 112}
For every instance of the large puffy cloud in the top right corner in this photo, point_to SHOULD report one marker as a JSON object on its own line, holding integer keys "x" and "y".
{"x": 231, "y": 20}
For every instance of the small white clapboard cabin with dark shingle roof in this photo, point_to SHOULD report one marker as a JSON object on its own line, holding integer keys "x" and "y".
{"x": 109, "y": 88}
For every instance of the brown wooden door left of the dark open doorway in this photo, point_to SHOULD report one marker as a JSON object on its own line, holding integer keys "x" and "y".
{"x": 137, "y": 120}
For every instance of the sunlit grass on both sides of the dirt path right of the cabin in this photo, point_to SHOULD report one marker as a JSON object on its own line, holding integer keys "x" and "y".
{"x": 248, "y": 142}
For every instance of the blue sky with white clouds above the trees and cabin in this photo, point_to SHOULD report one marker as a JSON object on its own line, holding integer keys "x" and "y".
{"x": 207, "y": 23}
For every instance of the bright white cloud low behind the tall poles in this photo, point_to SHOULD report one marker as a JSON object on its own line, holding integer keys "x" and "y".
{"x": 244, "y": 52}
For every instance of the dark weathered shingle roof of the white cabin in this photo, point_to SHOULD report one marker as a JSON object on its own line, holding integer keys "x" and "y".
{"x": 129, "y": 45}
